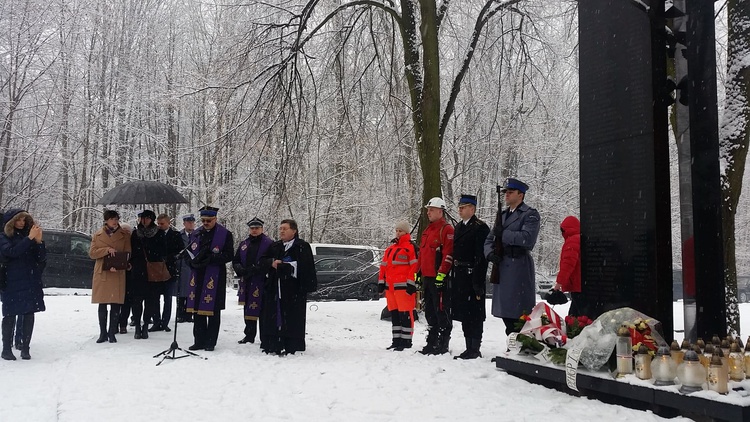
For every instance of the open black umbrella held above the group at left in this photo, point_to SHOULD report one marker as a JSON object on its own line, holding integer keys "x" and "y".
{"x": 142, "y": 192}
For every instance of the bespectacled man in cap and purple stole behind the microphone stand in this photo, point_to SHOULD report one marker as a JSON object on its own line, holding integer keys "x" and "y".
{"x": 211, "y": 247}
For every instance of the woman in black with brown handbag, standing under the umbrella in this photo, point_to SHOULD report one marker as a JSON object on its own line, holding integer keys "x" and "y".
{"x": 148, "y": 253}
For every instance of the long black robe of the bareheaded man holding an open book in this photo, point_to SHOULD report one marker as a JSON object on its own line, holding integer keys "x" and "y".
{"x": 283, "y": 314}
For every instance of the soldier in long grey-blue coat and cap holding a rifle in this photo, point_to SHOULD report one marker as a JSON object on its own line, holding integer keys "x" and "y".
{"x": 514, "y": 291}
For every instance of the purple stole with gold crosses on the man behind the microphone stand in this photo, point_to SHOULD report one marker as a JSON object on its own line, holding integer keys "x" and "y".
{"x": 202, "y": 302}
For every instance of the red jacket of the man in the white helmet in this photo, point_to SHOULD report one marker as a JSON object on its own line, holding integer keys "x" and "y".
{"x": 439, "y": 234}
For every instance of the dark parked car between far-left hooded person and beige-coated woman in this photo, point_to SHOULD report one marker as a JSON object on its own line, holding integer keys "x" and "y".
{"x": 68, "y": 262}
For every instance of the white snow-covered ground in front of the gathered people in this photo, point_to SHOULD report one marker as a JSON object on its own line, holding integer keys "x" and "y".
{"x": 345, "y": 375}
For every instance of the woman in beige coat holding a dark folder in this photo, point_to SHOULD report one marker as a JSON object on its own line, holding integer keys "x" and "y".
{"x": 108, "y": 286}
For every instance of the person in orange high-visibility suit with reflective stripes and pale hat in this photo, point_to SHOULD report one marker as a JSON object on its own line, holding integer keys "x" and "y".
{"x": 397, "y": 280}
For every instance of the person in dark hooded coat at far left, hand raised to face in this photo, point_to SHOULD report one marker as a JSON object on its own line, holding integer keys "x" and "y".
{"x": 24, "y": 254}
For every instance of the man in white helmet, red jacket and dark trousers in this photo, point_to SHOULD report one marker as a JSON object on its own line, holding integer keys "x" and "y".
{"x": 435, "y": 261}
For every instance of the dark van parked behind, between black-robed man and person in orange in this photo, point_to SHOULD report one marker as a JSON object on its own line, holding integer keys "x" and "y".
{"x": 342, "y": 278}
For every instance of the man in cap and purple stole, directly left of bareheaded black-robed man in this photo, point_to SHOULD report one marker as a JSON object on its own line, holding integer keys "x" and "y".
{"x": 246, "y": 264}
